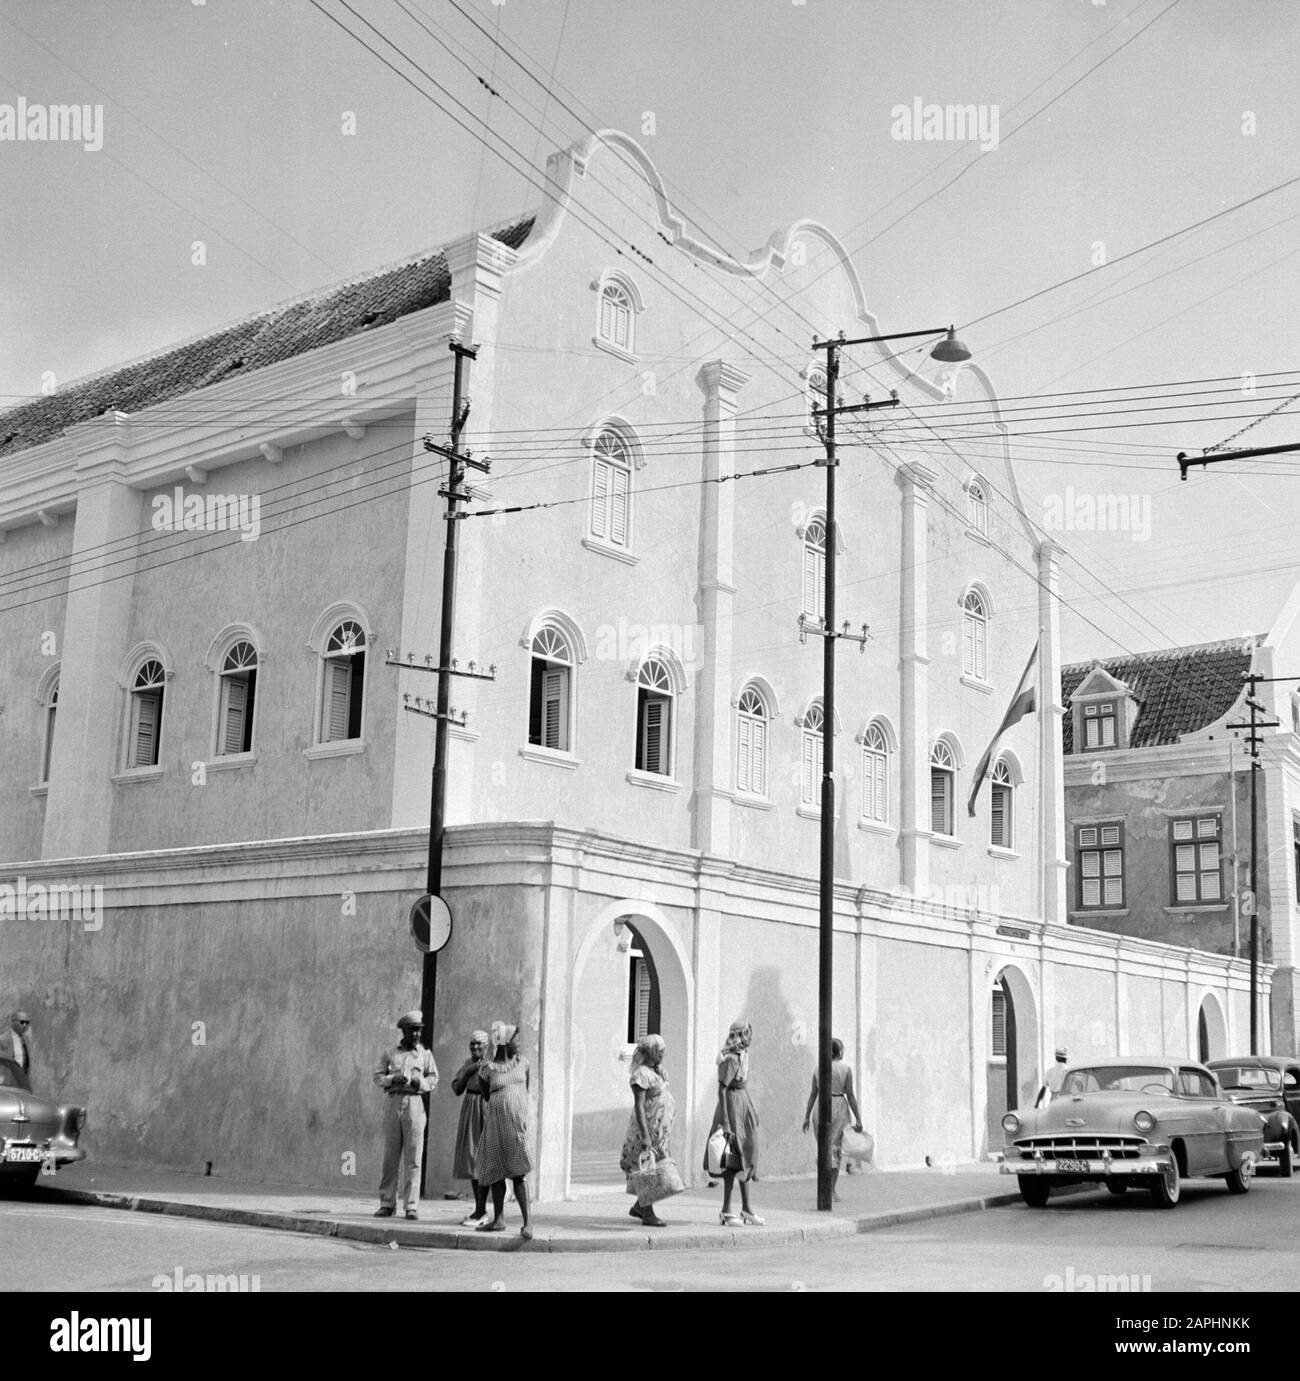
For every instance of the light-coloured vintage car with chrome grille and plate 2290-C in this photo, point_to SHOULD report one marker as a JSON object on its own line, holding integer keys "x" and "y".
{"x": 1138, "y": 1121}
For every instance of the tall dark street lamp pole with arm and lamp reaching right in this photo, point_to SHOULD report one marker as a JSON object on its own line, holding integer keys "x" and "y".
{"x": 948, "y": 350}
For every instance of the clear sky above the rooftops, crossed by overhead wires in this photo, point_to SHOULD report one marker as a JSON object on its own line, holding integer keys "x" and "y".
{"x": 1118, "y": 124}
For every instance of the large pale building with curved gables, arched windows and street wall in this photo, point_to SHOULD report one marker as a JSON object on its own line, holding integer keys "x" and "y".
{"x": 209, "y": 726}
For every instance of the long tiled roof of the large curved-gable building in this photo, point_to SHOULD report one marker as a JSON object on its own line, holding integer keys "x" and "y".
{"x": 267, "y": 339}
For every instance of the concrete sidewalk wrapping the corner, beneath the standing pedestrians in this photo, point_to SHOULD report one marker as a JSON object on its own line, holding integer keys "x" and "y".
{"x": 592, "y": 1223}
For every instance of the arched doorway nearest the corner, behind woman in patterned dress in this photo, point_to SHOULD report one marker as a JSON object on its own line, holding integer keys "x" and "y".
{"x": 629, "y": 981}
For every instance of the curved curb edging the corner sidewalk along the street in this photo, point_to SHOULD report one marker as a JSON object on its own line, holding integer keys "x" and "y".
{"x": 444, "y": 1241}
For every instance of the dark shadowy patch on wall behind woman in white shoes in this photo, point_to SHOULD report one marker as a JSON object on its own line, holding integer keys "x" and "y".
{"x": 781, "y": 1063}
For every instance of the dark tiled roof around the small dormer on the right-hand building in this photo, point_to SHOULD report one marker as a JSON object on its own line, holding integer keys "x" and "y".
{"x": 1179, "y": 690}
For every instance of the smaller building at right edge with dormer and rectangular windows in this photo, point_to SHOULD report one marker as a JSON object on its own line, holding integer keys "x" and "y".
{"x": 1158, "y": 804}
